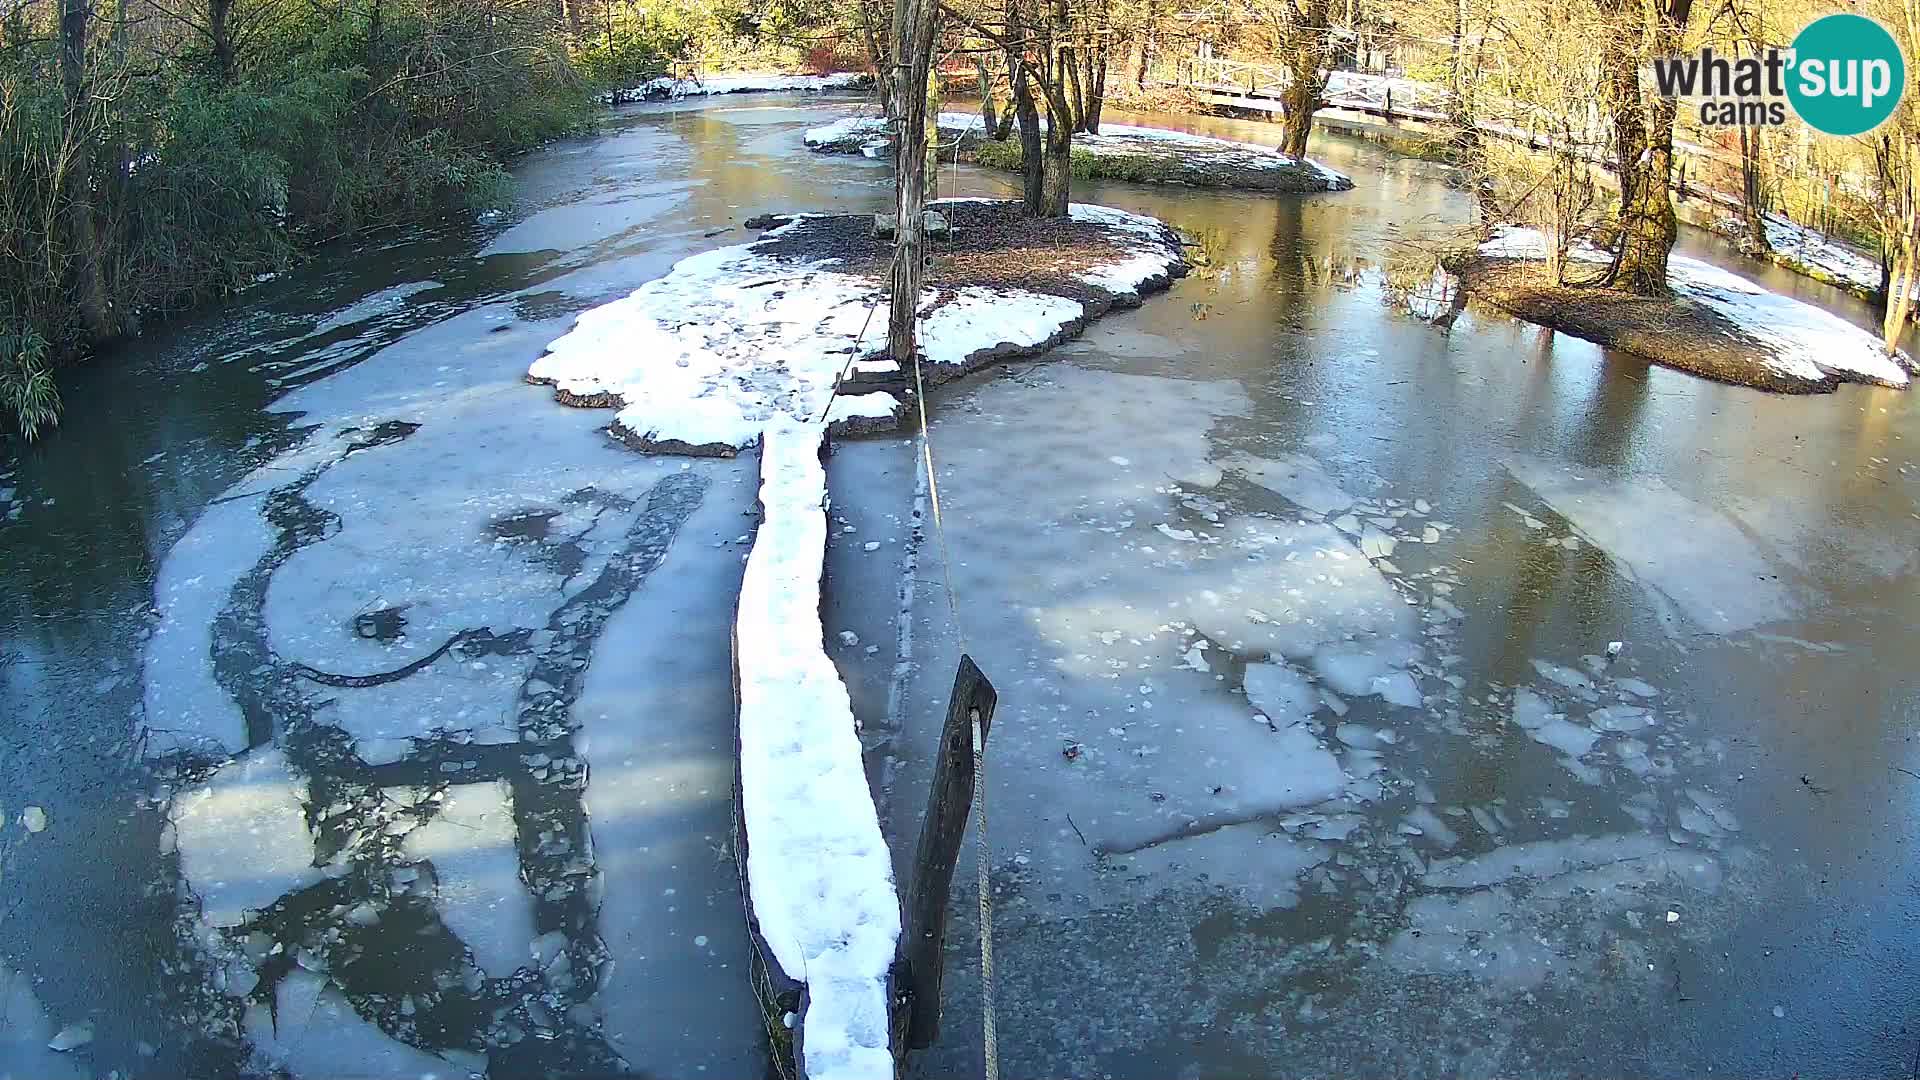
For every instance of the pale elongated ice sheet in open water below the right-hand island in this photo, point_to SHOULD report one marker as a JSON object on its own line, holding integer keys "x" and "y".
{"x": 1691, "y": 554}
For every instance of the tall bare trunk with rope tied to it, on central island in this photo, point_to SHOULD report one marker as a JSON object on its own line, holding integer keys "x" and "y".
{"x": 913, "y": 62}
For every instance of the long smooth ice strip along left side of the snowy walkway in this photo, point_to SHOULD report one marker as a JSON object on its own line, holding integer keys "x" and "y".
{"x": 658, "y": 737}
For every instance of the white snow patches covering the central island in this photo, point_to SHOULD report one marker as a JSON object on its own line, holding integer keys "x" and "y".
{"x": 731, "y": 341}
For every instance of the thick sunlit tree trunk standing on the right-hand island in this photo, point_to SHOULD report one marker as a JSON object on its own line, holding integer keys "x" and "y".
{"x": 1644, "y": 143}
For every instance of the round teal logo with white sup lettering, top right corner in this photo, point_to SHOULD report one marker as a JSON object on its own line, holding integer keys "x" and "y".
{"x": 1846, "y": 74}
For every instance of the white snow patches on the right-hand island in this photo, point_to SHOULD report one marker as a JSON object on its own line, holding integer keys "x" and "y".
{"x": 1806, "y": 343}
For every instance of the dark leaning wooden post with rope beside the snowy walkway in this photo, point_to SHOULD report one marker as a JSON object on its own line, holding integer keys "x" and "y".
{"x": 949, "y": 806}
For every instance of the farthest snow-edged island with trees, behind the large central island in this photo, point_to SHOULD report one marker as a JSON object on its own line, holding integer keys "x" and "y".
{"x": 1120, "y": 153}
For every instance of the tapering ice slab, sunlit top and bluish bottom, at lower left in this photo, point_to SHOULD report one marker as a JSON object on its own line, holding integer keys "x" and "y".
{"x": 477, "y": 862}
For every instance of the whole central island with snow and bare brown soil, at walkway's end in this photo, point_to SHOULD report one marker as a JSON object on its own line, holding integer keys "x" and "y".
{"x": 702, "y": 360}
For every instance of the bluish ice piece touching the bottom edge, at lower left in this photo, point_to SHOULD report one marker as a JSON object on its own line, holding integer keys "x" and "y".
{"x": 320, "y": 1037}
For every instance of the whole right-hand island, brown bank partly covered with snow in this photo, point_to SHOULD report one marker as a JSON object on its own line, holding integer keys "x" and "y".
{"x": 1716, "y": 324}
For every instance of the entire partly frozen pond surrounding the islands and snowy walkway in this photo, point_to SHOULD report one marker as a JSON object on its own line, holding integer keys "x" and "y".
{"x": 1312, "y": 752}
